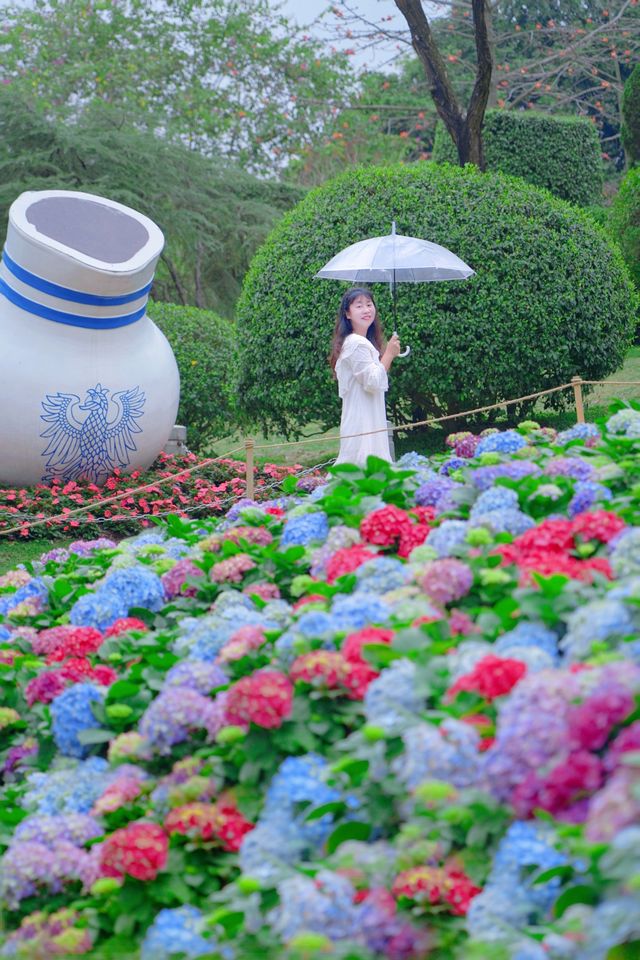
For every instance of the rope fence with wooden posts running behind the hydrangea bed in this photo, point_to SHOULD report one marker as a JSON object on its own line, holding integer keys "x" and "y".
{"x": 249, "y": 446}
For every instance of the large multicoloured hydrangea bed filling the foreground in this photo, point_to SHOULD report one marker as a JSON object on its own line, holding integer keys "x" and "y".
{"x": 395, "y": 717}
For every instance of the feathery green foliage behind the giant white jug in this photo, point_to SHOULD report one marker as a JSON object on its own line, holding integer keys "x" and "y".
{"x": 213, "y": 214}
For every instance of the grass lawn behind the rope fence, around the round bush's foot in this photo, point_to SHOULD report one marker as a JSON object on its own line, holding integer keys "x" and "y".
{"x": 432, "y": 439}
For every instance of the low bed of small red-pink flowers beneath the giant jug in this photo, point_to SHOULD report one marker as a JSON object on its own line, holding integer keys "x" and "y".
{"x": 207, "y": 491}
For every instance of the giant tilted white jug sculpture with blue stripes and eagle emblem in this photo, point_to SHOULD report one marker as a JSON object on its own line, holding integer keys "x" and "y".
{"x": 87, "y": 382}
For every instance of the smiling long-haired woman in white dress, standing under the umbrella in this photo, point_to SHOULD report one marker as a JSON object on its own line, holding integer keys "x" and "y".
{"x": 360, "y": 365}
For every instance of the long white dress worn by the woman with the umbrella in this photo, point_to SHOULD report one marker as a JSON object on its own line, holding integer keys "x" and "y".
{"x": 362, "y": 384}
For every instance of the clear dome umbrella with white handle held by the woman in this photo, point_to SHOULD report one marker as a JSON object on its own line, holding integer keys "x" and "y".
{"x": 395, "y": 259}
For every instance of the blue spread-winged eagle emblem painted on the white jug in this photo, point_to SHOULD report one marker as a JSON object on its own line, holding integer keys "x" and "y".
{"x": 90, "y": 448}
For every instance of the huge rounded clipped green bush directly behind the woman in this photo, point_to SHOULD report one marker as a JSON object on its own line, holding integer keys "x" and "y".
{"x": 551, "y": 297}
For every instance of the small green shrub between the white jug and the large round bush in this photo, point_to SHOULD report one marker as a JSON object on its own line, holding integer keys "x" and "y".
{"x": 203, "y": 344}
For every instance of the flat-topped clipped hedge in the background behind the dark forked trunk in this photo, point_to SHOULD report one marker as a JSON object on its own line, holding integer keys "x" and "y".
{"x": 561, "y": 154}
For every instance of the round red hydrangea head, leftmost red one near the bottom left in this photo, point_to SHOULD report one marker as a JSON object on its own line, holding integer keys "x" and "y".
{"x": 138, "y": 850}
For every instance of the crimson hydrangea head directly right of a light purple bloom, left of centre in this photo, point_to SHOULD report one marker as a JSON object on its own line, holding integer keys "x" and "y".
{"x": 264, "y": 698}
